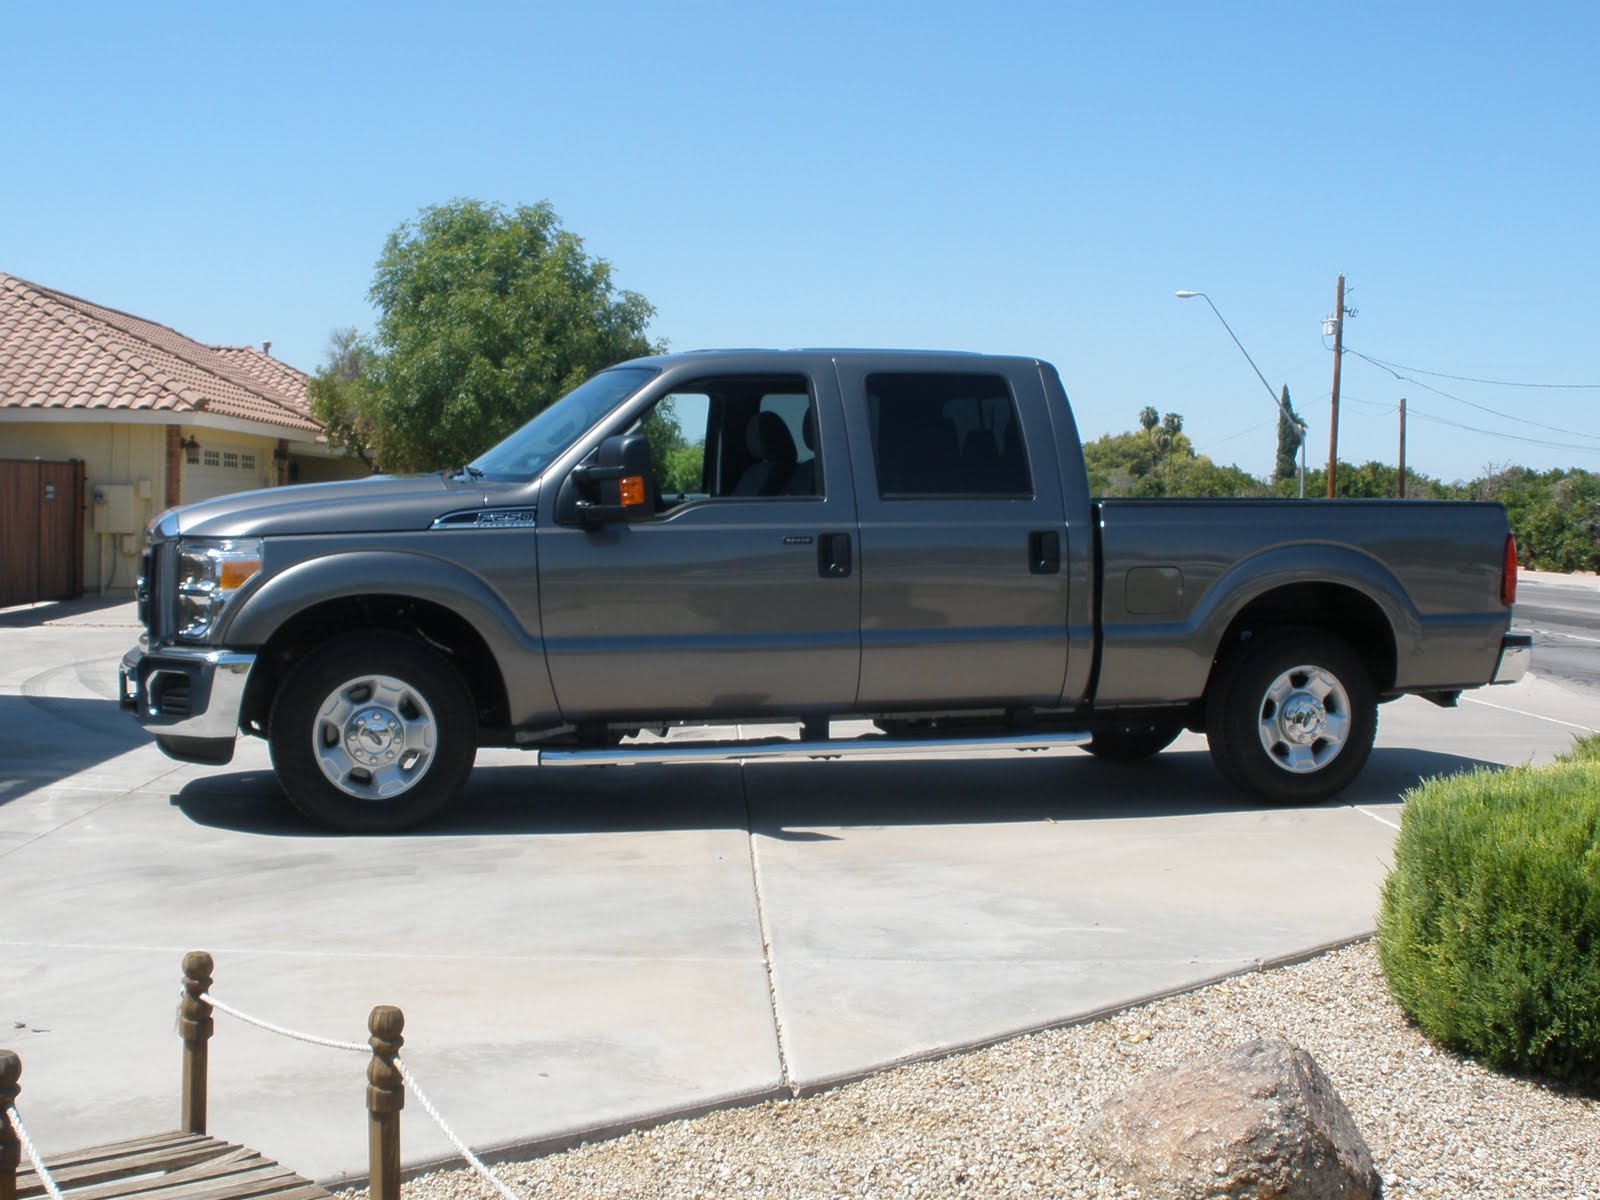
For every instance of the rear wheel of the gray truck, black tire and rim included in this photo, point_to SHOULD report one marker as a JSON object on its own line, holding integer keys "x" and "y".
{"x": 1292, "y": 718}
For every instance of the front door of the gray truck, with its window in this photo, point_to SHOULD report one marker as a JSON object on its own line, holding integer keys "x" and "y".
{"x": 742, "y": 596}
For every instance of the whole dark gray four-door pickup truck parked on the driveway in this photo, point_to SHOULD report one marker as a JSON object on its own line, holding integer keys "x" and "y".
{"x": 903, "y": 543}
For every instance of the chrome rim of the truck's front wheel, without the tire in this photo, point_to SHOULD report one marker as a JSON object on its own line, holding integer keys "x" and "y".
{"x": 375, "y": 737}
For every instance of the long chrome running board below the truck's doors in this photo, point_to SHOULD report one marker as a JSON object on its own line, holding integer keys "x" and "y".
{"x": 860, "y": 750}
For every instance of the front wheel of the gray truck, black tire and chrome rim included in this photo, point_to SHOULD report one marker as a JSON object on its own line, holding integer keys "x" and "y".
{"x": 414, "y": 716}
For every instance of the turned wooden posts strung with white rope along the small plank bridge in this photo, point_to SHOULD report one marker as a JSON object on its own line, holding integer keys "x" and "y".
{"x": 386, "y": 1076}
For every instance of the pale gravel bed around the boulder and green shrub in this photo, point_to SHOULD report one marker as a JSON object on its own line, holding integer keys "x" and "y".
{"x": 1006, "y": 1122}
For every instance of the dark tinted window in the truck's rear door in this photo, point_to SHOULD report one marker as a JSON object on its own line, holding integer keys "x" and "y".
{"x": 946, "y": 436}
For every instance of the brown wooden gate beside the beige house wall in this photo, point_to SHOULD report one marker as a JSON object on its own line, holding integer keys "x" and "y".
{"x": 41, "y": 532}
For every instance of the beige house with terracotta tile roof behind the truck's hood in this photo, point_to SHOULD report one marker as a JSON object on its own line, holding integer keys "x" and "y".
{"x": 153, "y": 418}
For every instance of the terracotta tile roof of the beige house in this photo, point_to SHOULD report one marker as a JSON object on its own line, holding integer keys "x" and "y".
{"x": 60, "y": 351}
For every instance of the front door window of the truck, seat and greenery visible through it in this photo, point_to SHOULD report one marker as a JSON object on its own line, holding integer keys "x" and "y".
{"x": 740, "y": 438}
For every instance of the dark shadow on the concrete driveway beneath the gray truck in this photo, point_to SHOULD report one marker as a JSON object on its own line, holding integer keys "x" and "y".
{"x": 802, "y": 802}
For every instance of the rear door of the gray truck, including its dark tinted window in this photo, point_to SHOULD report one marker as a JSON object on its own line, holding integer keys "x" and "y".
{"x": 962, "y": 537}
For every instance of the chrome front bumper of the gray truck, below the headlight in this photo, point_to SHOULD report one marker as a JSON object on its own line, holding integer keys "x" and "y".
{"x": 185, "y": 694}
